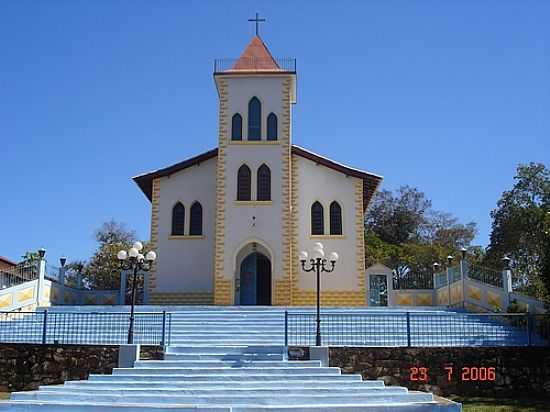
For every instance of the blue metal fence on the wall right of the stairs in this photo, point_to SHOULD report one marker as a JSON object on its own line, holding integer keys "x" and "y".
{"x": 418, "y": 329}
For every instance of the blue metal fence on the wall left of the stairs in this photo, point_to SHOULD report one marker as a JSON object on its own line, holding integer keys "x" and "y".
{"x": 84, "y": 328}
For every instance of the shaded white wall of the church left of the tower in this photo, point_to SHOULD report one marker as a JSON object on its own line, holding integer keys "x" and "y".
{"x": 186, "y": 265}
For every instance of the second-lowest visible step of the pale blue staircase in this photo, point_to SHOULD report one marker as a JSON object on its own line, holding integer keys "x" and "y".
{"x": 249, "y": 399}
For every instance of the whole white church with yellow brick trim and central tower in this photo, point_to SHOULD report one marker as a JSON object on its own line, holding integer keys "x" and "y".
{"x": 228, "y": 224}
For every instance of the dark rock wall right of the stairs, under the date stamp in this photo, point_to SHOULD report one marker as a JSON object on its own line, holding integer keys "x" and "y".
{"x": 449, "y": 371}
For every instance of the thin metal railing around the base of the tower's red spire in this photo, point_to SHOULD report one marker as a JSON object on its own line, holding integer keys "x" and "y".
{"x": 254, "y": 64}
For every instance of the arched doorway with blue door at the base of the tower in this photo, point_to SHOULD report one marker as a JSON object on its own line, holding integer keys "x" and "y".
{"x": 255, "y": 280}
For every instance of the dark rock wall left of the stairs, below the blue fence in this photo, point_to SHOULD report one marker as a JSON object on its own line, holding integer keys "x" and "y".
{"x": 24, "y": 367}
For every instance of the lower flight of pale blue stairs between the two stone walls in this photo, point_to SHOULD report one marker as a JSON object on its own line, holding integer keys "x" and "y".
{"x": 226, "y": 378}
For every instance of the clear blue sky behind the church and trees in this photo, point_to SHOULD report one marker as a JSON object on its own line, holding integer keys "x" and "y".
{"x": 447, "y": 96}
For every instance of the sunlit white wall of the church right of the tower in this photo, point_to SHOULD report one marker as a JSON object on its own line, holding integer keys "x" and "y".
{"x": 319, "y": 183}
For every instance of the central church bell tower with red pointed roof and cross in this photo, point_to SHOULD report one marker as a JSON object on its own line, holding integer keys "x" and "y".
{"x": 256, "y": 93}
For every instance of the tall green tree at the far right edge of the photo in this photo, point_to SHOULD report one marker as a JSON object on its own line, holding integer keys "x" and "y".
{"x": 519, "y": 230}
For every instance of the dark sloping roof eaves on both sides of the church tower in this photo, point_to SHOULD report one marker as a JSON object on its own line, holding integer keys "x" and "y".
{"x": 371, "y": 181}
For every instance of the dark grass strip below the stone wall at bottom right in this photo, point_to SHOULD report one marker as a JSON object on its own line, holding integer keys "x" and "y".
{"x": 503, "y": 405}
